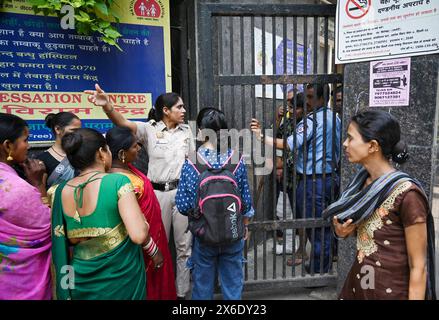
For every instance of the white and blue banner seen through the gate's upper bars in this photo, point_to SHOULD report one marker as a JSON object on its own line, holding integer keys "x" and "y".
{"x": 269, "y": 61}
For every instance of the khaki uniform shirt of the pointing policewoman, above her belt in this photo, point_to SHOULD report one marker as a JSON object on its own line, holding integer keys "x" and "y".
{"x": 167, "y": 149}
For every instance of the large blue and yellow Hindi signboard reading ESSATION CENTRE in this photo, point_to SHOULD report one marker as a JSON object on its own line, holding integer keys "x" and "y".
{"x": 45, "y": 69}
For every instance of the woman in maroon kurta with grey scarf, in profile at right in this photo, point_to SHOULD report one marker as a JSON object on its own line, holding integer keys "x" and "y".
{"x": 388, "y": 212}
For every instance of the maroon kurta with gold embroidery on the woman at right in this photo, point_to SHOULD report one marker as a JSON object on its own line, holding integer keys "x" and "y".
{"x": 382, "y": 248}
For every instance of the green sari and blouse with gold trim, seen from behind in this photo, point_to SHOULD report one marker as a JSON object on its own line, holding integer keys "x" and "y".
{"x": 108, "y": 265}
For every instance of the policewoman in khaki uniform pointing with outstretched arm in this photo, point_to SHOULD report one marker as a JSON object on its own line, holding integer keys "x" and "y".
{"x": 168, "y": 142}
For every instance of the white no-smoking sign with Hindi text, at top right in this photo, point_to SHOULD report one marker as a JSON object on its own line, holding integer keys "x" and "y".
{"x": 380, "y": 29}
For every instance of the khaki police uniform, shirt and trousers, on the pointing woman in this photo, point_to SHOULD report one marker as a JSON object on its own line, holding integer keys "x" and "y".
{"x": 167, "y": 150}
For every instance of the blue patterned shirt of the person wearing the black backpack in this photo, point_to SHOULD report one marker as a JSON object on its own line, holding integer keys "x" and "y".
{"x": 187, "y": 187}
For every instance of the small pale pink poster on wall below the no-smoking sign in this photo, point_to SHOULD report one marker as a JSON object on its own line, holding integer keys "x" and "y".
{"x": 389, "y": 83}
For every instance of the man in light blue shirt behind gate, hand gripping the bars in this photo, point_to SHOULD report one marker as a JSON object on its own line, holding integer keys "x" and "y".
{"x": 317, "y": 143}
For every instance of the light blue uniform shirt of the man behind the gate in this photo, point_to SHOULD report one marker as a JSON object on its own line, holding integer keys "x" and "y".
{"x": 319, "y": 134}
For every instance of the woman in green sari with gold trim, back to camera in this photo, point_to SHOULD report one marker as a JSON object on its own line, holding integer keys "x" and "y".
{"x": 97, "y": 227}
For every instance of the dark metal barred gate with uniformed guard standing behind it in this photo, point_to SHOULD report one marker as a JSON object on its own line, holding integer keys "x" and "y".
{"x": 251, "y": 56}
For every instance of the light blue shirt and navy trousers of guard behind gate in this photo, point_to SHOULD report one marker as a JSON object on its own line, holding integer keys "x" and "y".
{"x": 311, "y": 128}
